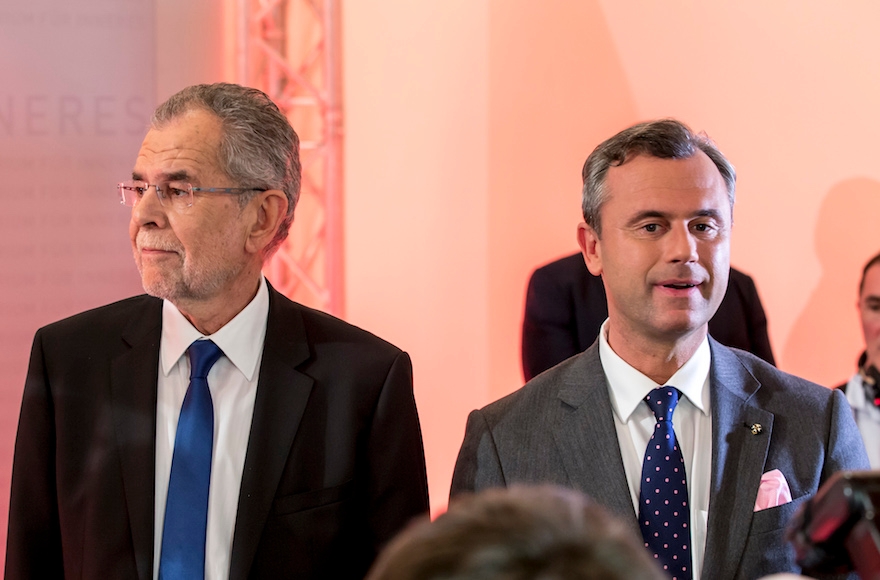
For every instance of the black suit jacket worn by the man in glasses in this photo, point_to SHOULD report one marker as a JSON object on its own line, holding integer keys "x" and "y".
{"x": 334, "y": 464}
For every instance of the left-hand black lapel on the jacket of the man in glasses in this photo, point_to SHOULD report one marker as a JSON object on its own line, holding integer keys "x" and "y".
{"x": 133, "y": 378}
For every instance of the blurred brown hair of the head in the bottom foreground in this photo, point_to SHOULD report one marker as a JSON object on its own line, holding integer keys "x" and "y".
{"x": 520, "y": 533}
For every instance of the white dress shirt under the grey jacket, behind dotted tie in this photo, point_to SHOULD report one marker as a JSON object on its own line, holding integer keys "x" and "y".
{"x": 691, "y": 419}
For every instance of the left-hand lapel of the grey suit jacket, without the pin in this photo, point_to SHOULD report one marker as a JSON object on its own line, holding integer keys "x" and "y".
{"x": 586, "y": 437}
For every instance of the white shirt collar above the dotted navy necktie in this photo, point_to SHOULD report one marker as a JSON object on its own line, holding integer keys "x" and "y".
{"x": 629, "y": 387}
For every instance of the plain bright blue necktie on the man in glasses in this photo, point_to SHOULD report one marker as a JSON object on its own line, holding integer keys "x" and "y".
{"x": 186, "y": 510}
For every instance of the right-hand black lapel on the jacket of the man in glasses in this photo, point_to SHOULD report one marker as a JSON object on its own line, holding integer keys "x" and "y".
{"x": 282, "y": 394}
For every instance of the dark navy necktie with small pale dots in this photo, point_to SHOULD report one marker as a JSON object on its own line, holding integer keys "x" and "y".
{"x": 664, "y": 512}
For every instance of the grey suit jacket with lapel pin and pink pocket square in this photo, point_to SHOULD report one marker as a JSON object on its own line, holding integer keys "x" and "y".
{"x": 559, "y": 429}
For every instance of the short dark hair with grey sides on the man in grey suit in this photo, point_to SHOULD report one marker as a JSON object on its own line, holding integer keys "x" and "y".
{"x": 666, "y": 139}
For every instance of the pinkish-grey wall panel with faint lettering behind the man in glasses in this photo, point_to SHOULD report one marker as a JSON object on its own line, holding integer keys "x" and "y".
{"x": 75, "y": 97}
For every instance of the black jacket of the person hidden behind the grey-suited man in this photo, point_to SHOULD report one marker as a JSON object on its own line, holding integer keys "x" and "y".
{"x": 566, "y": 305}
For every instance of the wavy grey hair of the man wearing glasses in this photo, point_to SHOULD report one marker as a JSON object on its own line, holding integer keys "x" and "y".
{"x": 258, "y": 149}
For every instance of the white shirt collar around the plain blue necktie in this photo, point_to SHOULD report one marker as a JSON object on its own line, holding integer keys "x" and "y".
{"x": 241, "y": 339}
